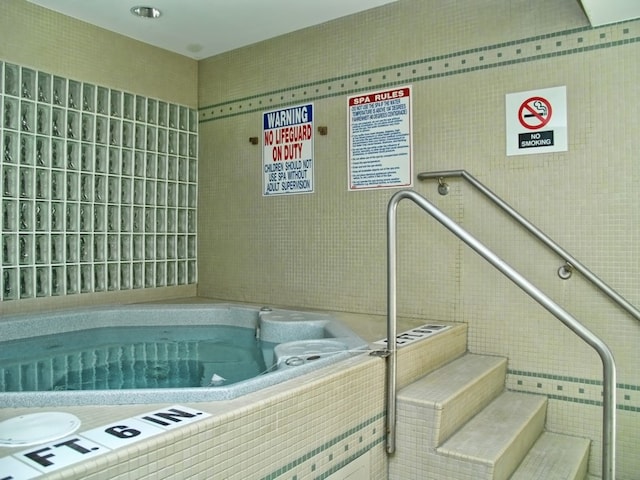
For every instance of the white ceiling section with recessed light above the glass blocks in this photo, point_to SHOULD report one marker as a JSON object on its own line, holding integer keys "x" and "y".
{"x": 202, "y": 28}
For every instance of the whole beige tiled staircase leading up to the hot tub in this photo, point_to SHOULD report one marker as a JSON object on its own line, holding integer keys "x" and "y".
{"x": 457, "y": 422}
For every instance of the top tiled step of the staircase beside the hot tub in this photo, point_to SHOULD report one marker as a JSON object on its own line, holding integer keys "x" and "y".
{"x": 448, "y": 397}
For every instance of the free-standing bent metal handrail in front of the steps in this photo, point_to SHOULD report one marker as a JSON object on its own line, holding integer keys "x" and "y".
{"x": 608, "y": 362}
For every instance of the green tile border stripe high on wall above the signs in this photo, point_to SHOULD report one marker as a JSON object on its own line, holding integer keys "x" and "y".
{"x": 232, "y": 108}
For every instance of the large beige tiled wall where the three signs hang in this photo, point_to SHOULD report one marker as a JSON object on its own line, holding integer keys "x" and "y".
{"x": 327, "y": 249}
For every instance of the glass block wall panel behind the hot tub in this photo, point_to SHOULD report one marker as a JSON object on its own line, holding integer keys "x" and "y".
{"x": 98, "y": 188}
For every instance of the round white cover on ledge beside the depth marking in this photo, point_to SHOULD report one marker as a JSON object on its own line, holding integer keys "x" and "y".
{"x": 37, "y": 428}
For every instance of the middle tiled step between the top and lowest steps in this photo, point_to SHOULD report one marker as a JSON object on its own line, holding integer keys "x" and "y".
{"x": 497, "y": 439}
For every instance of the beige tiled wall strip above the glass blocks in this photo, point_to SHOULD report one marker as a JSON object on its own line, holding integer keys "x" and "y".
{"x": 40, "y": 38}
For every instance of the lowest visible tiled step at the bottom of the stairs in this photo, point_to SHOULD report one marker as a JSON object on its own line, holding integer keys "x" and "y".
{"x": 555, "y": 457}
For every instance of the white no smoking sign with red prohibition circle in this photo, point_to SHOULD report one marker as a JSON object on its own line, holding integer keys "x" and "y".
{"x": 537, "y": 121}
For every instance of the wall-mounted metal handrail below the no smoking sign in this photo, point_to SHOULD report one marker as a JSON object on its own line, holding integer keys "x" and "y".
{"x": 575, "y": 264}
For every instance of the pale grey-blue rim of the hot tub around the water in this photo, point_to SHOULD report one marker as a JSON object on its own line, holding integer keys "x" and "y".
{"x": 274, "y": 325}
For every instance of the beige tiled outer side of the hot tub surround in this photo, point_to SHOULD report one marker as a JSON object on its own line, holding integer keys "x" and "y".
{"x": 294, "y": 431}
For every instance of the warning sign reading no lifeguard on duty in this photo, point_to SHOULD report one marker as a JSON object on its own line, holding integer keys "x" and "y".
{"x": 287, "y": 154}
